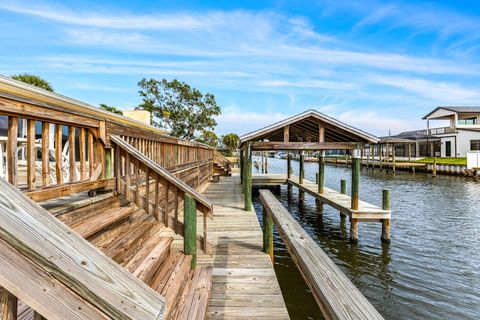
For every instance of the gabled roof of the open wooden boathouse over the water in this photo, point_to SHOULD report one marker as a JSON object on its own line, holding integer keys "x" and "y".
{"x": 304, "y": 127}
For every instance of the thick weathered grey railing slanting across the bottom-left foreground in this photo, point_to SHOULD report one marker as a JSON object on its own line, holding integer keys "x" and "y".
{"x": 58, "y": 273}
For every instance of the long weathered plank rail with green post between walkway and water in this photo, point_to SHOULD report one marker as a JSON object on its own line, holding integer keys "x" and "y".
{"x": 335, "y": 294}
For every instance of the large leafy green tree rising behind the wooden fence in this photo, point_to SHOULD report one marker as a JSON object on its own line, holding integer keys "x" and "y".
{"x": 177, "y": 107}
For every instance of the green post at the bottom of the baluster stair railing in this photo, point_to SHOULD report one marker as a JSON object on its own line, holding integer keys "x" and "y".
{"x": 190, "y": 228}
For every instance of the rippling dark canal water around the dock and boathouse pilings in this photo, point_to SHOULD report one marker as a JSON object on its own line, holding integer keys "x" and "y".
{"x": 431, "y": 268}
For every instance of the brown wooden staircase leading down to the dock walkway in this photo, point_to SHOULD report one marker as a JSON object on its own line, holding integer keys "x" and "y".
{"x": 136, "y": 241}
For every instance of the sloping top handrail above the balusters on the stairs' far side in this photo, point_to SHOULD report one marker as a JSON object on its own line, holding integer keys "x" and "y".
{"x": 133, "y": 152}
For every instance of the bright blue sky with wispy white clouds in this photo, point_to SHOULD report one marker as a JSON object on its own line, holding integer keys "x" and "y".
{"x": 377, "y": 65}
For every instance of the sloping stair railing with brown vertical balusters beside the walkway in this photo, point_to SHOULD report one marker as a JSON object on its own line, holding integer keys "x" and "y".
{"x": 157, "y": 190}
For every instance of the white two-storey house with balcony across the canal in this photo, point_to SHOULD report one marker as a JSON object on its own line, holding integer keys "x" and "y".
{"x": 460, "y": 137}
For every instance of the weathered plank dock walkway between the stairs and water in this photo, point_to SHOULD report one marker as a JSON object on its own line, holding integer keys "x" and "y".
{"x": 244, "y": 281}
